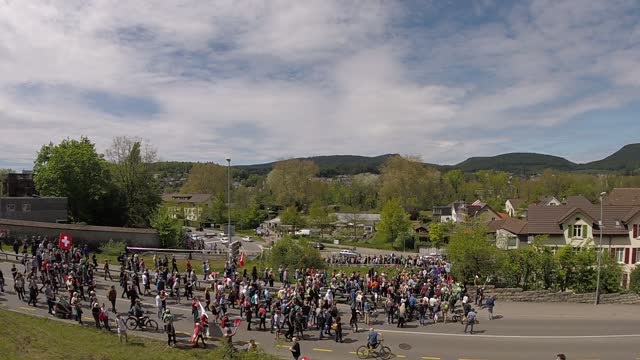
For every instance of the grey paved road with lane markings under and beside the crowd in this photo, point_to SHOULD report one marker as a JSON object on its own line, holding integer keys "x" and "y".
{"x": 523, "y": 331}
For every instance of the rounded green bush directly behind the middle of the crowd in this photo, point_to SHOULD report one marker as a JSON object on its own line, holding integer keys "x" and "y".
{"x": 294, "y": 254}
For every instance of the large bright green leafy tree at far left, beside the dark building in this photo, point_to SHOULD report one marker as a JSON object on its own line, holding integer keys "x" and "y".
{"x": 73, "y": 169}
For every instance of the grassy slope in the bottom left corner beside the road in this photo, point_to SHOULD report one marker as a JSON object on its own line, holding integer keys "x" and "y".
{"x": 28, "y": 337}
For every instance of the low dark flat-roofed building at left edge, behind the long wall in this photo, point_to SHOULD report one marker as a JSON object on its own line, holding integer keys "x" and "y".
{"x": 40, "y": 209}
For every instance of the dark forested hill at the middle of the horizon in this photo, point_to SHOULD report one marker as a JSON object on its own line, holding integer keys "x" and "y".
{"x": 331, "y": 165}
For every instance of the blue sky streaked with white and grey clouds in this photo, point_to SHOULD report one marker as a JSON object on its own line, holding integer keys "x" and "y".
{"x": 259, "y": 81}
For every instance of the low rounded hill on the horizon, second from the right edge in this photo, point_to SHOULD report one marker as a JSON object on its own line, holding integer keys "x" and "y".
{"x": 519, "y": 163}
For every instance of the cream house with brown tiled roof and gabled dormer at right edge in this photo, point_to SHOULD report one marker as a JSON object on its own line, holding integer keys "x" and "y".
{"x": 579, "y": 226}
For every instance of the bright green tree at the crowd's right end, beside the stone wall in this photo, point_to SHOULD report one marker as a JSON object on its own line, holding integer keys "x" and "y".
{"x": 471, "y": 253}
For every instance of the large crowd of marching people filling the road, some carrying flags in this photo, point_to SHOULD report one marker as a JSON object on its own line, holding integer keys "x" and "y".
{"x": 305, "y": 301}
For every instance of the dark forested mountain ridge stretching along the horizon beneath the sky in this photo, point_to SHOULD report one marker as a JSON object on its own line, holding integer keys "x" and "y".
{"x": 626, "y": 160}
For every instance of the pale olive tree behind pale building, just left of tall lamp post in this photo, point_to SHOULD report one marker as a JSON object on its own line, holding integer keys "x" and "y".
{"x": 206, "y": 178}
